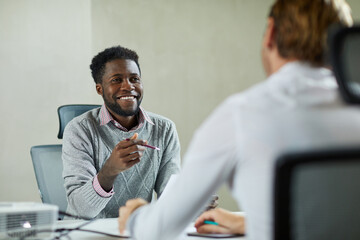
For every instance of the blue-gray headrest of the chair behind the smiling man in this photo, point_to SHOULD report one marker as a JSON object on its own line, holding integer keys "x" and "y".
{"x": 68, "y": 112}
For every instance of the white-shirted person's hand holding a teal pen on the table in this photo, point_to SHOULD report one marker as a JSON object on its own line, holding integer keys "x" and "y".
{"x": 228, "y": 222}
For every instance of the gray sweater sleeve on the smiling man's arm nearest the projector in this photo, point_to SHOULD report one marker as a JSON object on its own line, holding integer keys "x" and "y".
{"x": 79, "y": 171}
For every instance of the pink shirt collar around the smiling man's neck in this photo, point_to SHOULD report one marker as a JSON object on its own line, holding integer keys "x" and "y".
{"x": 105, "y": 118}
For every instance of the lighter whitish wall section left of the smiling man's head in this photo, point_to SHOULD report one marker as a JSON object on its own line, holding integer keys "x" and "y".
{"x": 44, "y": 52}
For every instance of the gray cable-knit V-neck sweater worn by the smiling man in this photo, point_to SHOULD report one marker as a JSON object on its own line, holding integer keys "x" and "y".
{"x": 87, "y": 146}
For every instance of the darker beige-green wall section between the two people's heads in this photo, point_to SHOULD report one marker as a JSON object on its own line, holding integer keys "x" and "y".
{"x": 192, "y": 53}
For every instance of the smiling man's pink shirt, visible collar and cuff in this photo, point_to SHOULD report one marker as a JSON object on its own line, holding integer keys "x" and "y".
{"x": 105, "y": 118}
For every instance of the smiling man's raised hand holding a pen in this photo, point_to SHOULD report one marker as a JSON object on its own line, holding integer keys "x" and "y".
{"x": 125, "y": 154}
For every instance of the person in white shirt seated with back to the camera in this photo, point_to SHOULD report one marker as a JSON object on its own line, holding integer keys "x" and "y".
{"x": 297, "y": 107}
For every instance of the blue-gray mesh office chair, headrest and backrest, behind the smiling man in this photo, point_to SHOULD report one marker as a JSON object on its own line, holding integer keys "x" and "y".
{"x": 47, "y": 161}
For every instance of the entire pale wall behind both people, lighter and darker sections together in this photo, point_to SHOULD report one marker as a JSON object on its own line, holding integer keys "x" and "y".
{"x": 193, "y": 54}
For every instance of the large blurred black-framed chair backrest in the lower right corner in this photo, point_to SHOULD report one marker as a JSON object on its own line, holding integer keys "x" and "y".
{"x": 317, "y": 195}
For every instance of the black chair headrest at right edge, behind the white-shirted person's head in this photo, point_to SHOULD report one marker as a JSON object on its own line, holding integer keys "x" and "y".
{"x": 344, "y": 50}
